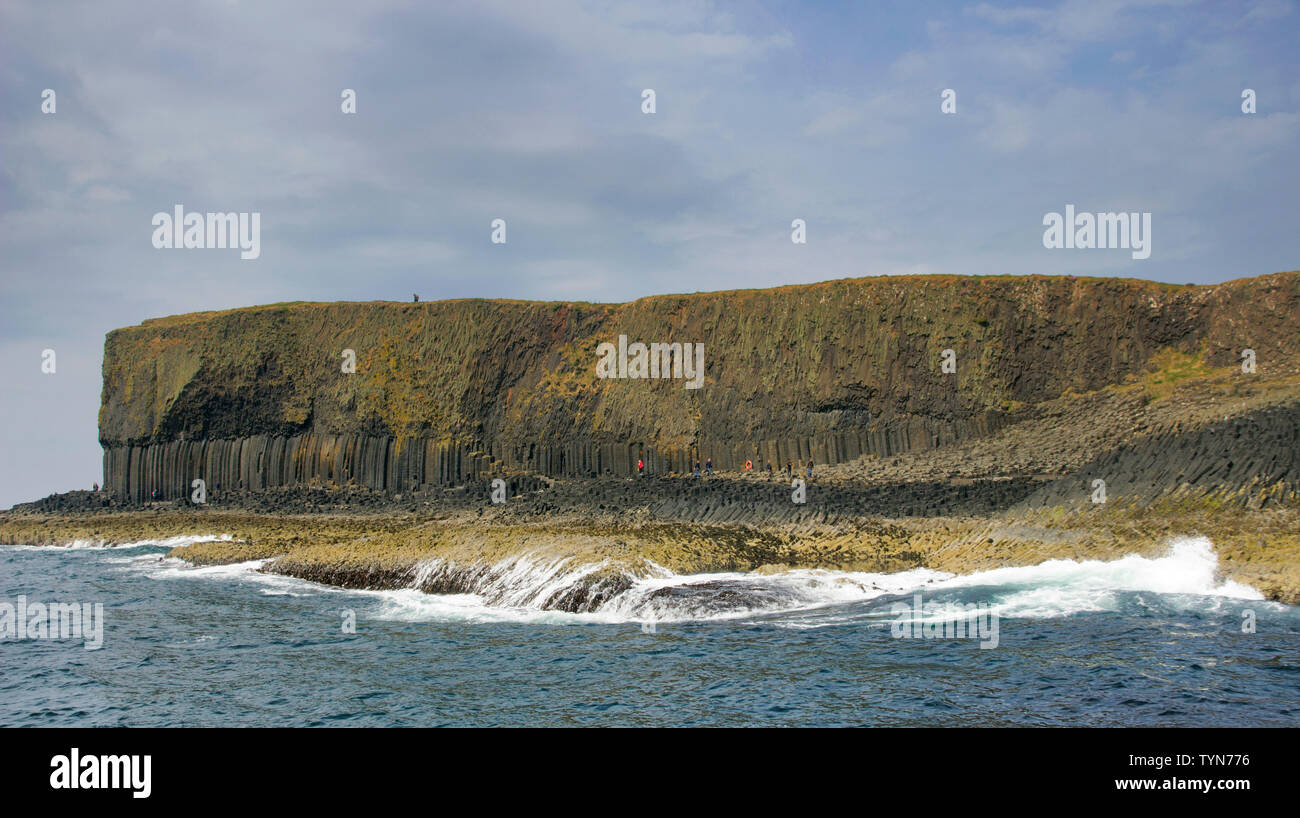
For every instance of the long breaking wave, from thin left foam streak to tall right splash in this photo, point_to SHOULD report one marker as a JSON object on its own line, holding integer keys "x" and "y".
{"x": 534, "y": 588}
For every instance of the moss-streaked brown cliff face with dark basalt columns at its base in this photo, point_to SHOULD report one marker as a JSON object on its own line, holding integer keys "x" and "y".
{"x": 448, "y": 392}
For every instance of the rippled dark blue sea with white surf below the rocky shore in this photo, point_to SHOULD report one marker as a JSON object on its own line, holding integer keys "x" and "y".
{"x": 1133, "y": 642}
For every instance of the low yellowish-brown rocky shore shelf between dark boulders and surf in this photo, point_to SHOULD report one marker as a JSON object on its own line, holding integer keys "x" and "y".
{"x": 723, "y": 525}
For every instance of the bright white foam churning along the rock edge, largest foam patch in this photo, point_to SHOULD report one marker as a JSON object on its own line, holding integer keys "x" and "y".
{"x": 513, "y": 591}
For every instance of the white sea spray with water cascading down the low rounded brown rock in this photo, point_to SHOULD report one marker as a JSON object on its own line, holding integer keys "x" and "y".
{"x": 604, "y": 592}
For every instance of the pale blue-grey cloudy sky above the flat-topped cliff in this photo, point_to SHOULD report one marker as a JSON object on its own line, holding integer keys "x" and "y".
{"x": 532, "y": 112}
